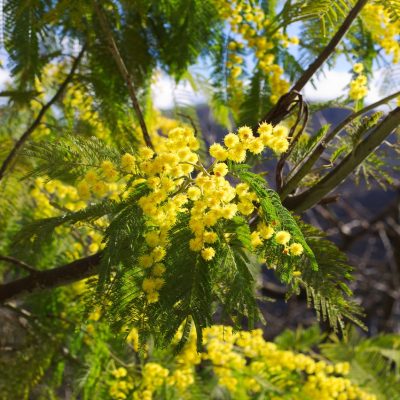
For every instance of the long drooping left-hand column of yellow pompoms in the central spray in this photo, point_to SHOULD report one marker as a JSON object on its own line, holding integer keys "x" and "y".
{"x": 165, "y": 173}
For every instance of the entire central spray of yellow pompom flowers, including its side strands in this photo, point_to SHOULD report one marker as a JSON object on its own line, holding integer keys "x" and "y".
{"x": 208, "y": 197}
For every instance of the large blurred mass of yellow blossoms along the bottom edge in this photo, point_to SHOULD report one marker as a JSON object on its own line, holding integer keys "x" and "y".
{"x": 245, "y": 359}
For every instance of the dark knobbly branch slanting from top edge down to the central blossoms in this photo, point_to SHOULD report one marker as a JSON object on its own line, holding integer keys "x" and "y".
{"x": 281, "y": 109}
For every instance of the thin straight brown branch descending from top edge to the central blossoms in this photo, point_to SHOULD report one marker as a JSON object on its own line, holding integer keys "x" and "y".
{"x": 123, "y": 70}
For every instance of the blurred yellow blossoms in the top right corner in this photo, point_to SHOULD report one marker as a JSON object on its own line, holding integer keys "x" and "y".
{"x": 383, "y": 30}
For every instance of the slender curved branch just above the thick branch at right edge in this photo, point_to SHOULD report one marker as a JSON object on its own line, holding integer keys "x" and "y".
{"x": 307, "y": 163}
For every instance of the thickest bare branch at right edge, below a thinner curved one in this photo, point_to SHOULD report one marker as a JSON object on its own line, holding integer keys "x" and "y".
{"x": 310, "y": 197}
